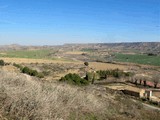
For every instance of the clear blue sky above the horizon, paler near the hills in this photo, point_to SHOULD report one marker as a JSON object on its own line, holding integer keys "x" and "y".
{"x": 56, "y": 22}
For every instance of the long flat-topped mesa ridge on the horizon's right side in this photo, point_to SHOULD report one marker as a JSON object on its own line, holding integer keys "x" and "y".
{"x": 145, "y": 47}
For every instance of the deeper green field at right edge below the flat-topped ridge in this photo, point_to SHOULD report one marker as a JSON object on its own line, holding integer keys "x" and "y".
{"x": 138, "y": 58}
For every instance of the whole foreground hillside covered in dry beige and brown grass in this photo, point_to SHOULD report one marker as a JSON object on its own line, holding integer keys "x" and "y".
{"x": 25, "y": 98}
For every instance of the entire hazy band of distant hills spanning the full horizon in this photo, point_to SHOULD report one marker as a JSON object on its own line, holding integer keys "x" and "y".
{"x": 144, "y": 47}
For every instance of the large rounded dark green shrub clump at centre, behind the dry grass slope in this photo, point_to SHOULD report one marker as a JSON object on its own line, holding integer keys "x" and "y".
{"x": 74, "y": 79}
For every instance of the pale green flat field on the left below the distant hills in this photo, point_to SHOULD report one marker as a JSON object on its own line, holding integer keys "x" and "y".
{"x": 34, "y": 54}
